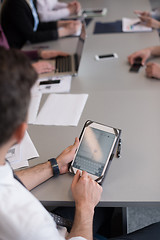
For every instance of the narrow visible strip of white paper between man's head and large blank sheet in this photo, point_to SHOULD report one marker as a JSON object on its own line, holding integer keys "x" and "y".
{"x": 34, "y": 106}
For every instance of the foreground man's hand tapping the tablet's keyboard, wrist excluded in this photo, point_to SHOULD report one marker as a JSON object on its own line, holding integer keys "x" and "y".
{"x": 86, "y": 192}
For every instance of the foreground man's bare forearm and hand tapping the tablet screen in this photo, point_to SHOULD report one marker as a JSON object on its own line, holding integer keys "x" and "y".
{"x": 86, "y": 193}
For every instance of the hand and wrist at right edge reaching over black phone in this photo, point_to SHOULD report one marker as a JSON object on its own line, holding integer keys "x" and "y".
{"x": 145, "y": 54}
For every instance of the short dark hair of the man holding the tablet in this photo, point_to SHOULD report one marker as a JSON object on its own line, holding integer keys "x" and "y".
{"x": 16, "y": 79}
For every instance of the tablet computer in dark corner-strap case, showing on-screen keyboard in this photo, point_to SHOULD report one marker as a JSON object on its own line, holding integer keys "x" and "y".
{"x": 96, "y": 149}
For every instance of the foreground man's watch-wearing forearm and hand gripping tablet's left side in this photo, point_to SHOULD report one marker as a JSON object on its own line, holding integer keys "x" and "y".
{"x": 34, "y": 176}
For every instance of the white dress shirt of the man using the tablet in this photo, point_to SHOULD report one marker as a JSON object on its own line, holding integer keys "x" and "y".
{"x": 22, "y": 216}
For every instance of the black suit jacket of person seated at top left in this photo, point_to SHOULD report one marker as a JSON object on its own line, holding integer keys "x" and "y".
{"x": 17, "y": 23}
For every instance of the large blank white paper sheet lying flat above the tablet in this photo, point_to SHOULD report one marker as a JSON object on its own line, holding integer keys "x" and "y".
{"x": 62, "y": 109}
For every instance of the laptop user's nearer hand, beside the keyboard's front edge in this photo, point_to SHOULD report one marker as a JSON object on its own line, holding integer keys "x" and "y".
{"x": 43, "y": 67}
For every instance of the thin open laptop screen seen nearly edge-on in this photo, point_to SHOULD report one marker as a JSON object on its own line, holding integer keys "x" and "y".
{"x": 81, "y": 43}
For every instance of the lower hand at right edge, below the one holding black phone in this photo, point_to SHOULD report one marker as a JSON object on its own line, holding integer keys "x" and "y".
{"x": 153, "y": 70}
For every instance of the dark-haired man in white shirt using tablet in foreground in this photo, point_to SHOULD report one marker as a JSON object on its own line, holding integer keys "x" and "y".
{"x": 22, "y": 215}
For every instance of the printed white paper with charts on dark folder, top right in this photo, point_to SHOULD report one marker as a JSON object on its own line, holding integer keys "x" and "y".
{"x": 128, "y": 25}
